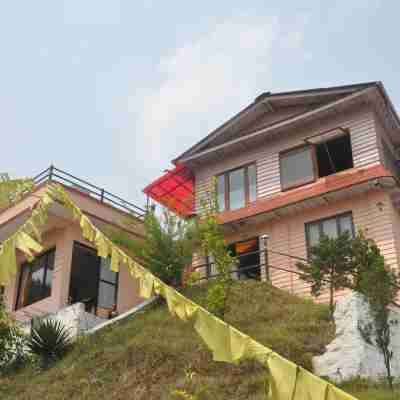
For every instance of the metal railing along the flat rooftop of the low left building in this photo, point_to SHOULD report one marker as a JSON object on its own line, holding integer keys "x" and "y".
{"x": 57, "y": 175}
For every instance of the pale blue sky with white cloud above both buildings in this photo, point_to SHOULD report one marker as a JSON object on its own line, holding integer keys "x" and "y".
{"x": 112, "y": 91}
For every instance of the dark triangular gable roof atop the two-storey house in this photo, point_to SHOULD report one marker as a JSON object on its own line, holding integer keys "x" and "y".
{"x": 293, "y": 103}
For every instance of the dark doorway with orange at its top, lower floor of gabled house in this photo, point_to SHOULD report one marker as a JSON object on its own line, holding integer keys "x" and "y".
{"x": 248, "y": 253}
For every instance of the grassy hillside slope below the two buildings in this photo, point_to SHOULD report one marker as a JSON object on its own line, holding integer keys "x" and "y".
{"x": 153, "y": 355}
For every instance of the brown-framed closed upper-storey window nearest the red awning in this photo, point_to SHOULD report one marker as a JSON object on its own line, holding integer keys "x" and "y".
{"x": 237, "y": 188}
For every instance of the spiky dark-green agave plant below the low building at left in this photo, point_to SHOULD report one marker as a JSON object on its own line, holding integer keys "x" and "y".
{"x": 49, "y": 339}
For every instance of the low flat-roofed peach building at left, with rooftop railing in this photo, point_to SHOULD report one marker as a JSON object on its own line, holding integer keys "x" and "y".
{"x": 69, "y": 270}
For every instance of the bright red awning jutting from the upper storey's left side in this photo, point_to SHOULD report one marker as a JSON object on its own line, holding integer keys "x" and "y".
{"x": 174, "y": 190}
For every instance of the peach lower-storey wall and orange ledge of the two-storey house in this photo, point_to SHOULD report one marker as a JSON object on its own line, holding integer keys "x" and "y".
{"x": 373, "y": 212}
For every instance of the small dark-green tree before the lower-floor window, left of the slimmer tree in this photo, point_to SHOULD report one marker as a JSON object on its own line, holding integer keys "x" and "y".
{"x": 329, "y": 266}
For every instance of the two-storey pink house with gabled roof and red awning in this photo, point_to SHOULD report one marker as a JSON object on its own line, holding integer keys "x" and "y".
{"x": 290, "y": 167}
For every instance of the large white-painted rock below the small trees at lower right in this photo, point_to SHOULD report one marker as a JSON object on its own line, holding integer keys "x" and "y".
{"x": 348, "y": 355}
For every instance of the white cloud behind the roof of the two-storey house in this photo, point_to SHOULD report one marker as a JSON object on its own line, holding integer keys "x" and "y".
{"x": 205, "y": 81}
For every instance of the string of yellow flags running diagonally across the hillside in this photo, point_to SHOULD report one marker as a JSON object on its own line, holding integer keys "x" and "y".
{"x": 287, "y": 381}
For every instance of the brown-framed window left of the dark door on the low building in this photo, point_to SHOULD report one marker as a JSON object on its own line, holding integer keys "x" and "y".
{"x": 36, "y": 279}
